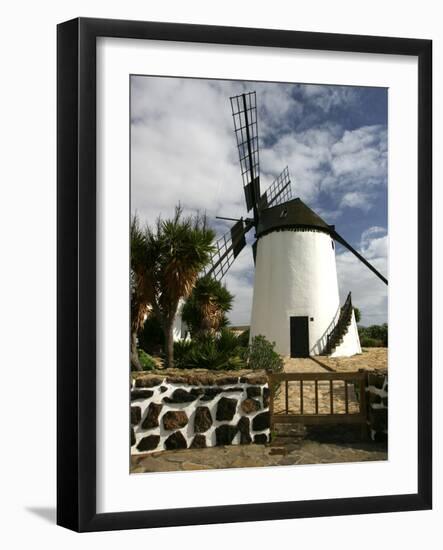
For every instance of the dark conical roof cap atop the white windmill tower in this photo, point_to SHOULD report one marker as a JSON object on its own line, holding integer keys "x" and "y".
{"x": 290, "y": 215}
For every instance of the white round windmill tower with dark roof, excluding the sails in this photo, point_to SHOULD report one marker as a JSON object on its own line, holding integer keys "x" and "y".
{"x": 296, "y": 301}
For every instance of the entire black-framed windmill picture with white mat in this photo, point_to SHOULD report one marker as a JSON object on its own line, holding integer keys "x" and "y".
{"x": 244, "y": 274}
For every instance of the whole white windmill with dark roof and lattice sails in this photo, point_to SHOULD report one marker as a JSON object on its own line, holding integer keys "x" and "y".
{"x": 296, "y": 300}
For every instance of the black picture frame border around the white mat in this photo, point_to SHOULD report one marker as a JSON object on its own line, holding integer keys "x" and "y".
{"x": 76, "y": 273}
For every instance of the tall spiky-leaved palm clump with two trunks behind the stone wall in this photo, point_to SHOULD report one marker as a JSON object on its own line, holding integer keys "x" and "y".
{"x": 166, "y": 264}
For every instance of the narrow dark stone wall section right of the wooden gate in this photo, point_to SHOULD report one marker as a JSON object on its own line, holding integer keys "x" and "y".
{"x": 377, "y": 397}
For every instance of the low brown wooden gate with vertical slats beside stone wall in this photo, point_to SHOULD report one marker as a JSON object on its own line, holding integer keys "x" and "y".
{"x": 325, "y": 407}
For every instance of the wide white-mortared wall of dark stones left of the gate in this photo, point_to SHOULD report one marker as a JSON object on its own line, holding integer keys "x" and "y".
{"x": 190, "y": 409}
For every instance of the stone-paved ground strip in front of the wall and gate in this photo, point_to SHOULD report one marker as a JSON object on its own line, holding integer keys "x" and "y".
{"x": 250, "y": 456}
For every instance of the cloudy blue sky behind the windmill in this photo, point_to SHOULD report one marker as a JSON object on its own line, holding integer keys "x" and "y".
{"x": 332, "y": 138}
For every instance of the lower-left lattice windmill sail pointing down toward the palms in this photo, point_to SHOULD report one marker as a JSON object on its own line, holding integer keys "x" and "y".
{"x": 228, "y": 247}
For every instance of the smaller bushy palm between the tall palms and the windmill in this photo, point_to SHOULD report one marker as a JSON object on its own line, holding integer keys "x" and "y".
{"x": 205, "y": 310}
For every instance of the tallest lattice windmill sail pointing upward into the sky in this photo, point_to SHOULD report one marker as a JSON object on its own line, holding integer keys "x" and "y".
{"x": 244, "y": 113}
